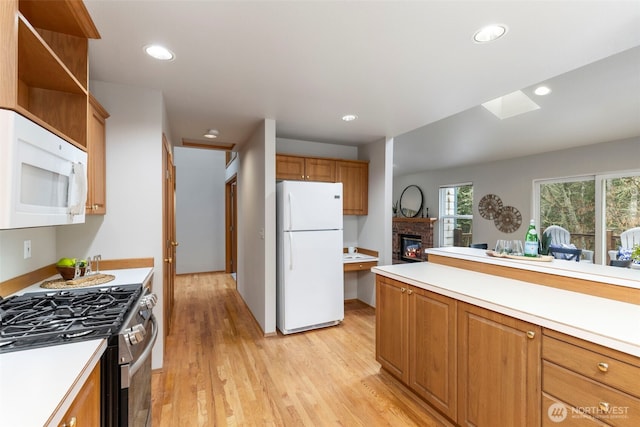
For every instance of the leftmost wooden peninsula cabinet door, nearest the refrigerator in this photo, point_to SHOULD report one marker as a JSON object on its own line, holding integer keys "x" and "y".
{"x": 391, "y": 327}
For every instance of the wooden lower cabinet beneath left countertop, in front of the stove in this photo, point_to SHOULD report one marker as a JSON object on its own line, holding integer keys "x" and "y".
{"x": 85, "y": 409}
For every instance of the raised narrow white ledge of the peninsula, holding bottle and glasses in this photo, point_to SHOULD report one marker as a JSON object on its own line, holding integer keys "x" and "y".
{"x": 598, "y": 273}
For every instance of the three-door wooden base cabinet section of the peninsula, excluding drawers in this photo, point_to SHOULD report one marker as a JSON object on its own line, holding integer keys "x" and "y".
{"x": 476, "y": 366}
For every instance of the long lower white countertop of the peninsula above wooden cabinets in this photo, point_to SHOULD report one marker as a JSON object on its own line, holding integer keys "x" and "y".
{"x": 602, "y": 321}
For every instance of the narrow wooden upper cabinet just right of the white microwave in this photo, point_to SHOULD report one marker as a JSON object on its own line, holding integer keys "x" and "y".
{"x": 96, "y": 153}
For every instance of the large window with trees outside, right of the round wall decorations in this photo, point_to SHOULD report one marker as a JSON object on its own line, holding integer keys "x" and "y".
{"x": 595, "y": 209}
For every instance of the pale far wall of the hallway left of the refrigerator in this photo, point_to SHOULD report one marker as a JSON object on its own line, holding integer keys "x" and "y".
{"x": 200, "y": 210}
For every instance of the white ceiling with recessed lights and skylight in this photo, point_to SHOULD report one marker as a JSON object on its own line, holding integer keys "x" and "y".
{"x": 409, "y": 70}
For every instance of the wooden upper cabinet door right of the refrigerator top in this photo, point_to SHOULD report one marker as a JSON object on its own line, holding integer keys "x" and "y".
{"x": 354, "y": 177}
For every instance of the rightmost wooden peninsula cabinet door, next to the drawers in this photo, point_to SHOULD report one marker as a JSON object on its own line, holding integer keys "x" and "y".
{"x": 498, "y": 369}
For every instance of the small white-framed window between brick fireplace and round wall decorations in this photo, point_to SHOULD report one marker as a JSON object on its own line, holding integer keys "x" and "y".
{"x": 456, "y": 215}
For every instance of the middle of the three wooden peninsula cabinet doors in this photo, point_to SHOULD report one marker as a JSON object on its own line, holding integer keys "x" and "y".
{"x": 432, "y": 349}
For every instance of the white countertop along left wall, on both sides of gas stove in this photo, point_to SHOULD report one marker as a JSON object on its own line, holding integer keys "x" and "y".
{"x": 38, "y": 386}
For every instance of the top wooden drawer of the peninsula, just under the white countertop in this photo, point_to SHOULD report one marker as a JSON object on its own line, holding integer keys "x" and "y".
{"x": 596, "y": 366}
